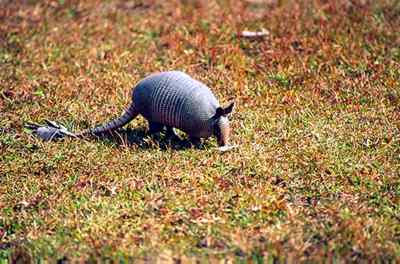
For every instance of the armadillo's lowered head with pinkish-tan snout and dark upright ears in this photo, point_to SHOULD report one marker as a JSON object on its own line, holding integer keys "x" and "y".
{"x": 221, "y": 127}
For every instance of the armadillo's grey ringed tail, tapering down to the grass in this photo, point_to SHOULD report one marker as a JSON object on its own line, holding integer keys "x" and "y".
{"x": 129, "y": 114}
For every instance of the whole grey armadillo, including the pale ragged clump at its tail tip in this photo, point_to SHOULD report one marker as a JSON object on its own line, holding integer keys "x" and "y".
{"x": 168, "y": 99}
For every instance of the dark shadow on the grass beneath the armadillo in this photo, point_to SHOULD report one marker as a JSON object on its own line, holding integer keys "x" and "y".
{"x": 141, "y": 138}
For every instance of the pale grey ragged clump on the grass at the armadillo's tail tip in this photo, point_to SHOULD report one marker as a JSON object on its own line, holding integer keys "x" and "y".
{"x": 50, "y": 132}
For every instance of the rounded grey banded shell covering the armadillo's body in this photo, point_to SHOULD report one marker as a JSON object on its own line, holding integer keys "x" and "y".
{"x": 175, "y": 99}
